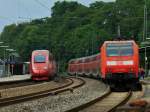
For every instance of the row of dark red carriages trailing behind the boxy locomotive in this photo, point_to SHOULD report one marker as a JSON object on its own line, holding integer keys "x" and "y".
{"x": 88, "y": 66}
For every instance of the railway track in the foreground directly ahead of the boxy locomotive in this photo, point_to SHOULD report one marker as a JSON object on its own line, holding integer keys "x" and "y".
{"x": 107, "y": 103}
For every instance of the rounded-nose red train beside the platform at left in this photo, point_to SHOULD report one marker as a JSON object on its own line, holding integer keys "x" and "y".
{"x": 42, "y": 65}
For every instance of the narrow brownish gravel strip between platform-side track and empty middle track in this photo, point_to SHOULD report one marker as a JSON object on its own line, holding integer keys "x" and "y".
{"x": 23, "y": 90}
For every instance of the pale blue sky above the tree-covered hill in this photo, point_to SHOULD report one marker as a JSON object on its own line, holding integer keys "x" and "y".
{"x": 16, "y": 11}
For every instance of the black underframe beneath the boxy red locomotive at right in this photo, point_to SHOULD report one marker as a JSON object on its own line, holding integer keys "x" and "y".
{"x": 123, "y": 81}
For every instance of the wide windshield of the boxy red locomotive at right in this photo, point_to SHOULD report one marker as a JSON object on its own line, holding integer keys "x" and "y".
{"x": 123, "y": 49}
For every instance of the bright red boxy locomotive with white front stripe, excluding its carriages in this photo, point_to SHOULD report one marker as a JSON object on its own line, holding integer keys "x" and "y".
{"x": 120, "y": 61}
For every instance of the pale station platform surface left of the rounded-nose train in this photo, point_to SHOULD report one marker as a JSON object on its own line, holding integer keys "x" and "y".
{"x": 15, "y": 78}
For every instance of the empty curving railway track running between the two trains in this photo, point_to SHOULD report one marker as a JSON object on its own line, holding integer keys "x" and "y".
{"x": 73, "y": 83}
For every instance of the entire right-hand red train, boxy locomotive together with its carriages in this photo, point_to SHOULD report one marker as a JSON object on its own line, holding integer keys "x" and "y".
{"x": 116, "y": 64}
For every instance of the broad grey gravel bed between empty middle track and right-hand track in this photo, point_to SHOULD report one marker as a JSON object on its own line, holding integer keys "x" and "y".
{"x": 61, "y": 102}
